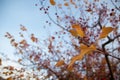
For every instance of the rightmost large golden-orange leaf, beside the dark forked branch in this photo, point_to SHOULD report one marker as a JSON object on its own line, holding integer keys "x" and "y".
{"x": 105, "y": 32}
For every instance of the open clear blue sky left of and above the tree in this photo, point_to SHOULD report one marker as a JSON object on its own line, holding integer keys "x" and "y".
{"x": 16, "y": 12}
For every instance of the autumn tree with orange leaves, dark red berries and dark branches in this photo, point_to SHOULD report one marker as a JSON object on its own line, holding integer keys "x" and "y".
{"x": 86, "y": 45}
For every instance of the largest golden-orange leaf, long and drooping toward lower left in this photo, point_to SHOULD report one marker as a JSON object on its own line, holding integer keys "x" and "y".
{"x": 84, "y": 50}
